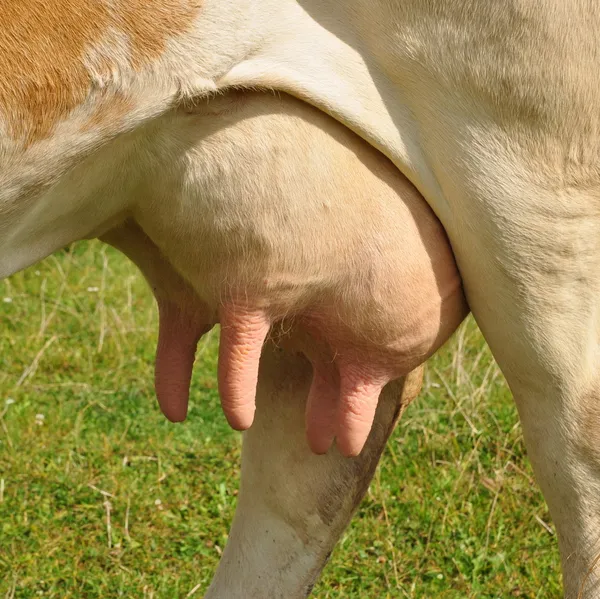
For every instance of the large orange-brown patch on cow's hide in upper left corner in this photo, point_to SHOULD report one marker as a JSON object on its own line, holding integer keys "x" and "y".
{"x": 43, "y": 45}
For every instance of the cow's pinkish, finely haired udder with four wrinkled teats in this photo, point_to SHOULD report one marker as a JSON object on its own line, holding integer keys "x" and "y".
{"x": 250, "y": 247}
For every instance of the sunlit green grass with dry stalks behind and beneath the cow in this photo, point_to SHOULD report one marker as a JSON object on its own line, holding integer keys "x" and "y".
{"x": 101, "y": 497}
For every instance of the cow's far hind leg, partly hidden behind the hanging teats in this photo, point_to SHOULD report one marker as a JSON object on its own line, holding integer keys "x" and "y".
{"x": 294, "y": 505}
